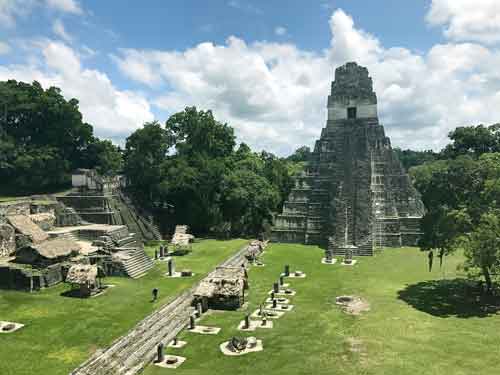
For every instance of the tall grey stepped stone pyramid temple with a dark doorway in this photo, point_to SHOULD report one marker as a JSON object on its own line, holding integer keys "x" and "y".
{"x": 354, "y": 193}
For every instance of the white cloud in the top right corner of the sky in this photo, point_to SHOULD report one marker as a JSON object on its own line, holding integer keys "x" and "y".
{"x": 466, "y": 20}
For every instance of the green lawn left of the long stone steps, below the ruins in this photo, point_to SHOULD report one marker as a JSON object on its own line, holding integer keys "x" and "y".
{"x": 61, "y": 332}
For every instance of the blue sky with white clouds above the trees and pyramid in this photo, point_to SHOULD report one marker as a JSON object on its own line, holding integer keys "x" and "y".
{"x": 263, "y": 66}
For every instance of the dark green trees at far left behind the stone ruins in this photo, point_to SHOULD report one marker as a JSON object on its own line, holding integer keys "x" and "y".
{"x": 43, "y": 137}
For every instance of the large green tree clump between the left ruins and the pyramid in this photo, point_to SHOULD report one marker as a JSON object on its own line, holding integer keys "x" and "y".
{"x": 213, "y": 187}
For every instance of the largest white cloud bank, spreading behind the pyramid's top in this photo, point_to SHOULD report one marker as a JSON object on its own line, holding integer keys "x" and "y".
{"x": 274, "y": 94}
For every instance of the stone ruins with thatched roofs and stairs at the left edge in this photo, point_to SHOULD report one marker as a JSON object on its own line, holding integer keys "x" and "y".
{"x": 41, "y": 238}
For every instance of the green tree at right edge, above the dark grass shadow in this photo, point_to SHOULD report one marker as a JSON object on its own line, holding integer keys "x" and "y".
{"x": 462, "y": 196}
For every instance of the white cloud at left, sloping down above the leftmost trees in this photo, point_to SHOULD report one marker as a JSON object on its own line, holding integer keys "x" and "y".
{"x": 113, "y": 112}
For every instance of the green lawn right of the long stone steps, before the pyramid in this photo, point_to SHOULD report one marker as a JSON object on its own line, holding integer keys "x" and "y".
{"x": 419, "y": 323}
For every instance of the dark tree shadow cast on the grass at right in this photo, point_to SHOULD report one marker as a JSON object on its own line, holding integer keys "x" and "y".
{"x": 450, "y": 298}
